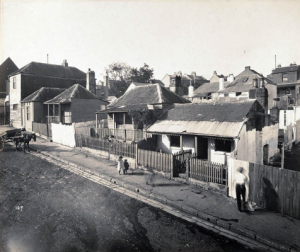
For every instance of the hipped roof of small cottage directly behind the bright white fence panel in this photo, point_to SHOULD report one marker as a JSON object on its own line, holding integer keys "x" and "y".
{"x": 75, "y": 92}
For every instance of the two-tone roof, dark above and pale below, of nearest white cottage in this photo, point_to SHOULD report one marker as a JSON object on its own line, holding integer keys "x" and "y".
{"x": 219, "y": 120}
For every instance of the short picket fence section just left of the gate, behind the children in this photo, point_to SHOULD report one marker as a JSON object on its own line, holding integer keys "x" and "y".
{"x": 152, "y": 159}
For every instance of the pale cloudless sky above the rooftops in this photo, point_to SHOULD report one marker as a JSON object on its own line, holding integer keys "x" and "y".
{"x": 170, "y": 36}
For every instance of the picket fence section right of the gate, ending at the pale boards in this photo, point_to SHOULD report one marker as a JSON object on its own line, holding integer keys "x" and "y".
{"x": 208, "y": 171}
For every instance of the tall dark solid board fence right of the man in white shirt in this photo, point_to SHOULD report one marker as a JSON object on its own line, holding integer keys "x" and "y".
{"x": 275, "y": 189}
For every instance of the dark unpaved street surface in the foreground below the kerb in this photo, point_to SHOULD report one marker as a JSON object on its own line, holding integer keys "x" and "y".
{"x": 46, "y": 208}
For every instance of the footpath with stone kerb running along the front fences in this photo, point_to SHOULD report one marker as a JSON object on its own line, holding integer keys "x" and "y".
{"x": 261, "y": 230}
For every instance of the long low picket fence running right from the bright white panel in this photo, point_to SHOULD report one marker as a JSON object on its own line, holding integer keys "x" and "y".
{"x": 113, "y": 147}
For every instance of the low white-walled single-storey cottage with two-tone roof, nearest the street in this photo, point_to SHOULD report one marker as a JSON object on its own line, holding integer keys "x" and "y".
{"x": 217, "y": 131}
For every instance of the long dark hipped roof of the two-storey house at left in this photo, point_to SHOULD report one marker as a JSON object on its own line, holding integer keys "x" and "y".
{"x": 36, "y": 68}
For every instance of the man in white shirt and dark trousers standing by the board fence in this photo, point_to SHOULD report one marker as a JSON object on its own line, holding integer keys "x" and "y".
{"x": 240, "y": 188}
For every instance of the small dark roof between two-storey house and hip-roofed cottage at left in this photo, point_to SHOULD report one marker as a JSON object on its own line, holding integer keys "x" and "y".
{"x": 43, "y": 94}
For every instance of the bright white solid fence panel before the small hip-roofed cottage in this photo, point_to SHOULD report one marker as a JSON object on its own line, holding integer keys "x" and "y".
{"x": 63, "y": 134}
